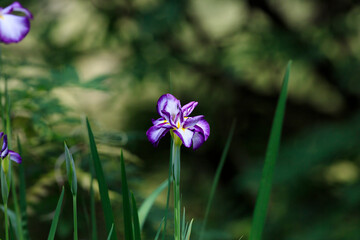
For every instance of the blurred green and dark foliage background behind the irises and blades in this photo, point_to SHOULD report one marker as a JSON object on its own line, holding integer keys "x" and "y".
{"x": 111, "y": 60}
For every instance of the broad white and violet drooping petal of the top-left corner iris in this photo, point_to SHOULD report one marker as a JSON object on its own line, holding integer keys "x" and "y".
{"x": 13, "y": 28}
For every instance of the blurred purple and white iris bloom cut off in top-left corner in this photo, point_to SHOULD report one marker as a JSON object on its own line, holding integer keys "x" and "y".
{"x": 13, "y": 28}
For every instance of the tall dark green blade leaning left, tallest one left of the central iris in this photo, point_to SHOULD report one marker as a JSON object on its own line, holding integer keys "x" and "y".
{"x": 104, "y": 195}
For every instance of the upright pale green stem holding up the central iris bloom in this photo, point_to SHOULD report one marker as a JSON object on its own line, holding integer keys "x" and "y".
{"x": 176, "y": 182}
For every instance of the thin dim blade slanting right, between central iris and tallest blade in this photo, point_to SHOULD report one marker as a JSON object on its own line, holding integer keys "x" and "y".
{"x": 217, "y": 177}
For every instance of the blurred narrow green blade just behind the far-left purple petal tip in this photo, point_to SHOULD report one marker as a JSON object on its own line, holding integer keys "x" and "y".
{"x": 22, "y": 195}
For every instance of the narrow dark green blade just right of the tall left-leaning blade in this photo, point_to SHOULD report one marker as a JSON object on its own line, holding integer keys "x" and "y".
{"x": 128, "y": 230}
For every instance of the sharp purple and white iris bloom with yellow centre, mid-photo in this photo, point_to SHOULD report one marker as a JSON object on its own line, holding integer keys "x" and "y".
{"x": 174, "y": 118}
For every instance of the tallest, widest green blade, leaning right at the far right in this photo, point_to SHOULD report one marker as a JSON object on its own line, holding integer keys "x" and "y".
{"x": 263, "y": 197}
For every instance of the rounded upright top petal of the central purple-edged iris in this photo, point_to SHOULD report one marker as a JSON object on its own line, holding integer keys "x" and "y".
{"x": 168, "y": 107}
